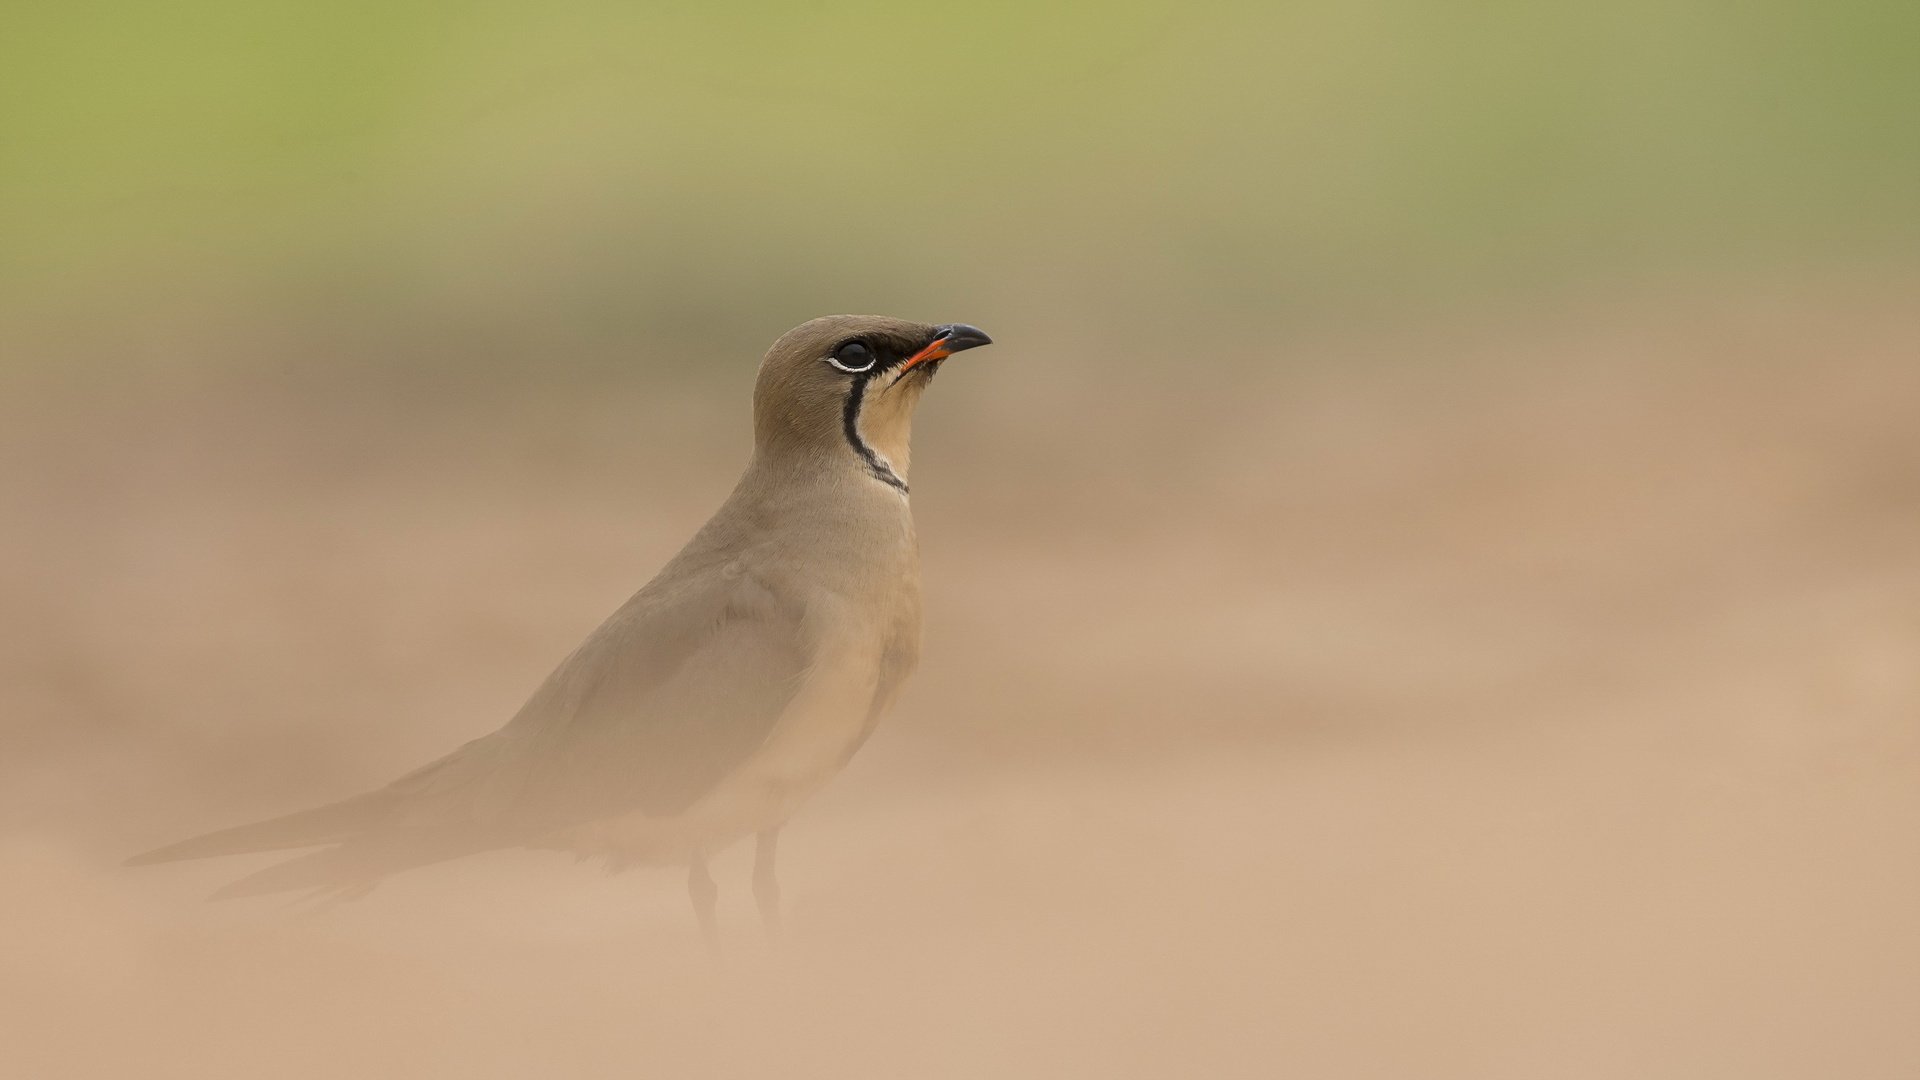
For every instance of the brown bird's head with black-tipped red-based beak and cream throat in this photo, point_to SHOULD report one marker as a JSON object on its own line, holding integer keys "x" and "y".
{"x": 848, "y": 385}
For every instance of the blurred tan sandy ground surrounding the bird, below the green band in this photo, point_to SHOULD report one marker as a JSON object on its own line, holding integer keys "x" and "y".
{"x": 1529, "y": 695}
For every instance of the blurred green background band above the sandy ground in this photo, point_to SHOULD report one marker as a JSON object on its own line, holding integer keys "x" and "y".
{"x": 573, "y": 185}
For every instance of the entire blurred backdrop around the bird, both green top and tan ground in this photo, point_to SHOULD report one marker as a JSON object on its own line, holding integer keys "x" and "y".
{"x": 1428, "y": 581}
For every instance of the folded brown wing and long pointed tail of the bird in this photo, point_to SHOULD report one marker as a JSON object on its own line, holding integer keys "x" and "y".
{"x": 654, "y": 710}
